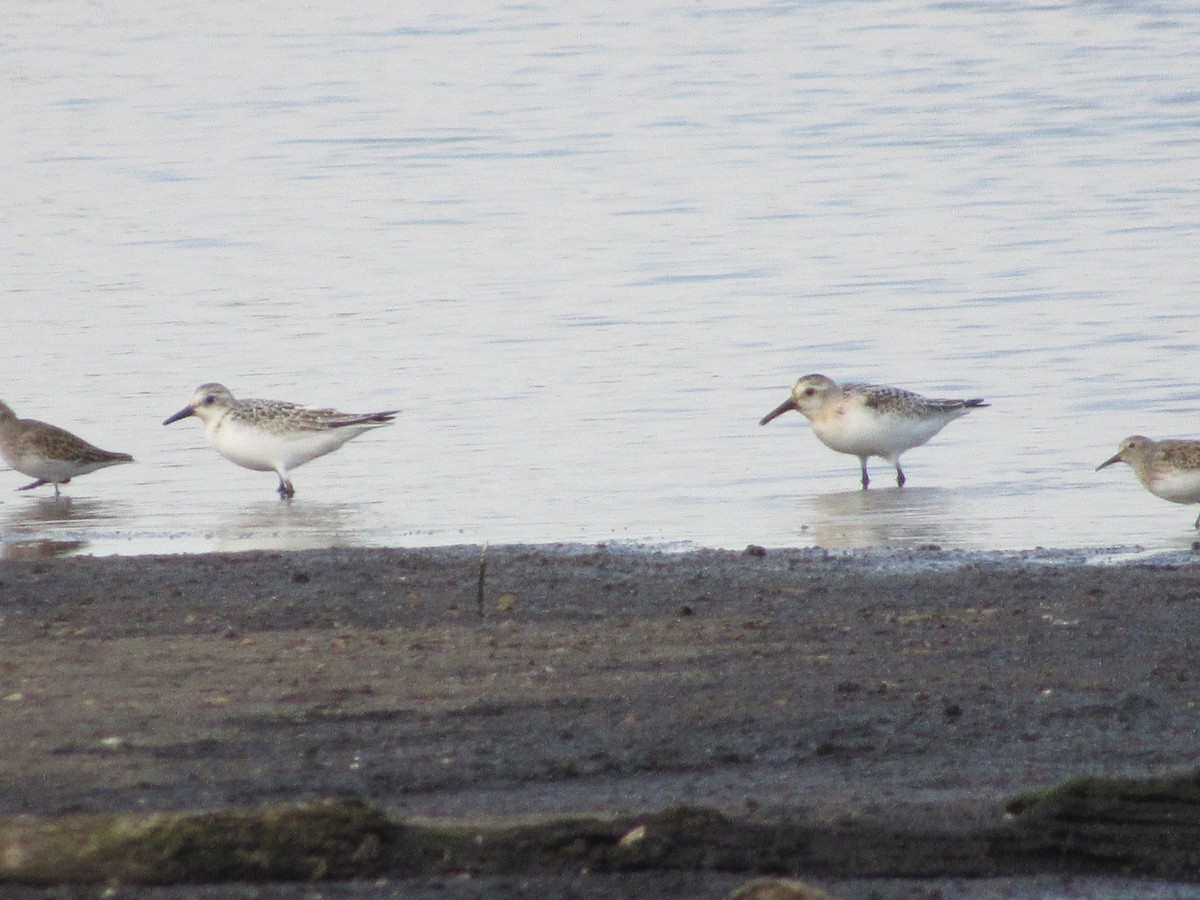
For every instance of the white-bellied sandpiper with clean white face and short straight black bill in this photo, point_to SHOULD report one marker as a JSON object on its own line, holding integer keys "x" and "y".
{"x": 271, "y": 435}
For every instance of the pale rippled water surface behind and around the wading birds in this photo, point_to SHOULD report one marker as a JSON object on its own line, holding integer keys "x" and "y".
{"x": 586, "y": 248}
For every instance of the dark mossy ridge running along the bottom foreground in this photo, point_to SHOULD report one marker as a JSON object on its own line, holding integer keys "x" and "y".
{"x": 1129, "y": 827}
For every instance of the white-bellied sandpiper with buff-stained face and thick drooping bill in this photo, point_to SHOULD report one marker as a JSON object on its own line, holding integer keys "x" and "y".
{"x": 871, "y": 421}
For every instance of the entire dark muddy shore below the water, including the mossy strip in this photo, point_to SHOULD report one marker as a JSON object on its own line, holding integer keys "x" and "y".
{"x": 595, "y": 723}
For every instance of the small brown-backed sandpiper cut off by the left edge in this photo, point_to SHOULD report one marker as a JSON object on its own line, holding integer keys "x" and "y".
{"x": 49, "y": 453}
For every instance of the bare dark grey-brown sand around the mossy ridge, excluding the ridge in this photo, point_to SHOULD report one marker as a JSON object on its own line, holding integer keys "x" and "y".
{"x": 891, "y": 689}
